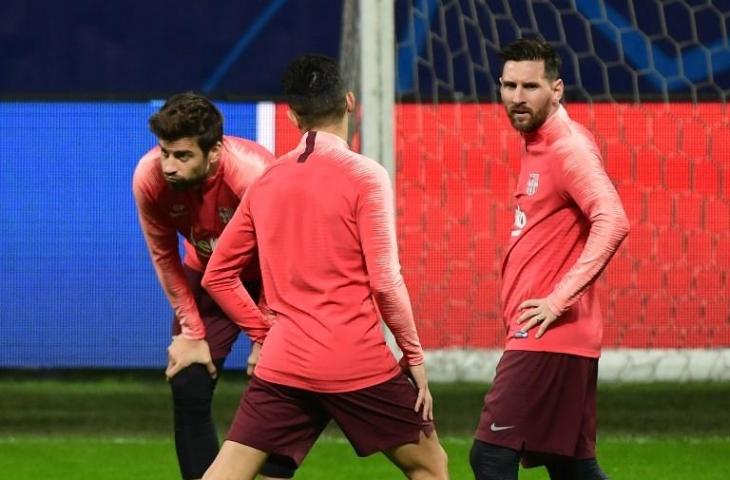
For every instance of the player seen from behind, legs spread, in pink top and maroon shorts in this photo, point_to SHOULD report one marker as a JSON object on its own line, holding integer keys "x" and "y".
{"x": 322, "y": 221}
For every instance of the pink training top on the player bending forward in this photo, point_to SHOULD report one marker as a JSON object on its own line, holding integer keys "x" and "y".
{"x": 199, "y": 215}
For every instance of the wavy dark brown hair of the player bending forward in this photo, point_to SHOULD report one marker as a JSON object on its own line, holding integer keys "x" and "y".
{"x": 189, "y": 115}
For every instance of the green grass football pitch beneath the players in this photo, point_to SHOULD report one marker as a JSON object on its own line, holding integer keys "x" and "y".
{"x": 115, "y": 425}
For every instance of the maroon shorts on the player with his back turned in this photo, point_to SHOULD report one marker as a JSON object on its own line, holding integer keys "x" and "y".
{"x": 287, "y": 421}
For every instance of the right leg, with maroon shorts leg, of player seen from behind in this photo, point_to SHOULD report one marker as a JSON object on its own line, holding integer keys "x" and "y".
{"x": 381, "y": 419}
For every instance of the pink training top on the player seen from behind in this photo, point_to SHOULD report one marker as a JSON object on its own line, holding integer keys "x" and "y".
{"x": 323, "y": 220}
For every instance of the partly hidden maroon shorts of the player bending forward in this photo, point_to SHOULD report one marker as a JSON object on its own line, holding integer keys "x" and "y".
{"x": 220, "y": 331}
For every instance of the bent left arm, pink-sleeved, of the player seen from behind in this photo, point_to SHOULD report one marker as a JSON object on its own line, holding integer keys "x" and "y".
{"x": 235, "y": 249}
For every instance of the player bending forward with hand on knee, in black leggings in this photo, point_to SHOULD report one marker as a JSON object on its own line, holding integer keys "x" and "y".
{"x": 190, "y": 184}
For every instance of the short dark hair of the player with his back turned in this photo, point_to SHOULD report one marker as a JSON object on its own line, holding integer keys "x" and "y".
{"x": 314, "y": 89}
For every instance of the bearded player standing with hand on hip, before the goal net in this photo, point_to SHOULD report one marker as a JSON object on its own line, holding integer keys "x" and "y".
{"x": 569, "y": 221}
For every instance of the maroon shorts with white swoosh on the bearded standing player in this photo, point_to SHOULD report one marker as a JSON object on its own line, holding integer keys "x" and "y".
{"x": 542, "y": 404}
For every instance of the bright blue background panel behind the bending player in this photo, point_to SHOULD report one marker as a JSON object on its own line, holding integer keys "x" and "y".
{"x": 78, "y": 287}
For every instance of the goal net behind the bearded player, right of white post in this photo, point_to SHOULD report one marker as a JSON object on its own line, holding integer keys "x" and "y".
{"x": 650, "y": 79}
